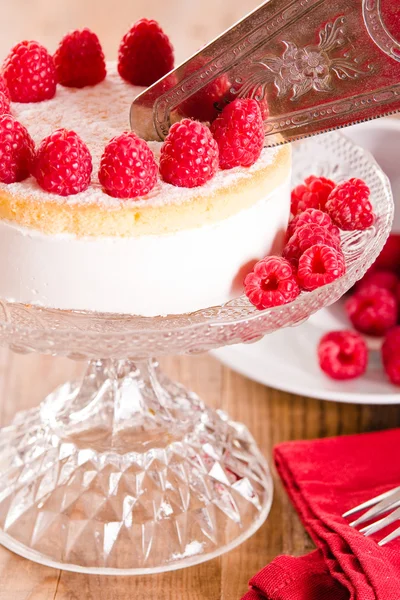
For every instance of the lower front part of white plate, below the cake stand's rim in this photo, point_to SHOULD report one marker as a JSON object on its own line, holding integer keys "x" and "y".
{"x": 287, "y": 360}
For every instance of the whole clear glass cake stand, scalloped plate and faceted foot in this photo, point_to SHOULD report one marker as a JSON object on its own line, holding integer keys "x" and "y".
{"x": 127, "y": 472}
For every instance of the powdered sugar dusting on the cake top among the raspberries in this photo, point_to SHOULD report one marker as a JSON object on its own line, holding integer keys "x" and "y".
{"x": 97, "y": 114}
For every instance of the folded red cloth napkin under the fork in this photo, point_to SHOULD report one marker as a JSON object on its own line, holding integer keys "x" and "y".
{"x": 324, "y": 478}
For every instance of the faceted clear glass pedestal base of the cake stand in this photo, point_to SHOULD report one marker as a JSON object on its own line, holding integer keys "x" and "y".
{"x": 127, "y": 472}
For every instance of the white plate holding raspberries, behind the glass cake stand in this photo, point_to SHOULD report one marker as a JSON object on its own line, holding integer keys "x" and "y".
{"x": 287, "y": 359}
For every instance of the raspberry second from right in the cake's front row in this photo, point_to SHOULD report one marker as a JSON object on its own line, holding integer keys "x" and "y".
{"x": 189, "y": 155}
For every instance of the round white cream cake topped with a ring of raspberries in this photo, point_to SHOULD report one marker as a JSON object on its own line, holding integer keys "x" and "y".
{"x": 95, "y": 219}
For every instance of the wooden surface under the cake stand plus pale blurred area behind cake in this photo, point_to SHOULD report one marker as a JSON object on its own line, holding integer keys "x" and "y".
{"x": 272, "y": 416}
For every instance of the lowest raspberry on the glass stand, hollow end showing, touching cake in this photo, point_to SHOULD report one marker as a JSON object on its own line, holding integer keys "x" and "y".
{"x": 271, "y": 283}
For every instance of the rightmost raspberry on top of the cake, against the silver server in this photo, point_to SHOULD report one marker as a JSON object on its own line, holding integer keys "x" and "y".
{"x": 239, "y": 131}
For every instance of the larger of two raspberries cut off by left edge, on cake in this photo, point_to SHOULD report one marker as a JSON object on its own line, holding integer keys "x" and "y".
{"x": 16, "y": 150}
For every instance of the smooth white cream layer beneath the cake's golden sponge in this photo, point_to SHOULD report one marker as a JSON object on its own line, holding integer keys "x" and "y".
{"x": 147, "y": 275}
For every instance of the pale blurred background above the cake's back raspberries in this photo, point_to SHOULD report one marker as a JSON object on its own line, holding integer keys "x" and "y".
{"x": 190, "y": 24}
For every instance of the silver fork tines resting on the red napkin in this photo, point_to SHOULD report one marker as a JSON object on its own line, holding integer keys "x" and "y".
{"x": 389, "y": 501}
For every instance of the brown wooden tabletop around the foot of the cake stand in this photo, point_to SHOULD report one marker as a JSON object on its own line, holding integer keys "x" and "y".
{"x": 272, "y": 416}
